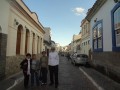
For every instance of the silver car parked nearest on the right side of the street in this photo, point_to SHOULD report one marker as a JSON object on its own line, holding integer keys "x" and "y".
{"x": 79, "y": 59}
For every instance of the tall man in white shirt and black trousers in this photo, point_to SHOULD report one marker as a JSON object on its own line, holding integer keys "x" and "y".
{"x": 53, "y": 63}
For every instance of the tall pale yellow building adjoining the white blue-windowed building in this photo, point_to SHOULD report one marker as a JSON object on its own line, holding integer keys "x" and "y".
{"x": 85, "y": 45}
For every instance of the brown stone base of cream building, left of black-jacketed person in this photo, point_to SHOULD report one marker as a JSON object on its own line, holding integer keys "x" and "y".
{"x": 13, "y": 64}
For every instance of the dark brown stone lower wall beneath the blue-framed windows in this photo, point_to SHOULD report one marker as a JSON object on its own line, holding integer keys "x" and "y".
{"x": 107, "y": 63}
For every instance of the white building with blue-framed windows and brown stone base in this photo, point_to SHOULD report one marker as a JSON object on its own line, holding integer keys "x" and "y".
{"x": 104, "y": 19}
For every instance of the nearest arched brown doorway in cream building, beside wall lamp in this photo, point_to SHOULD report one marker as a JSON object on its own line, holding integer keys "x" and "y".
{"x": 18, "y": 42}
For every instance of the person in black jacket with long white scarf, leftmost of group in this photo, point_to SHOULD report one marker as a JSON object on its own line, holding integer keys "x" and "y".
{"x": 25, "y": 65}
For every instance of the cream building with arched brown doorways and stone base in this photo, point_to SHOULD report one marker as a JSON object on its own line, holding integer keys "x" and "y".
{"x": 20, "y": 33}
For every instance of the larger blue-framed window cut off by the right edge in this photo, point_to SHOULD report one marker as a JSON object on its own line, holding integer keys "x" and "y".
{"x": 115, "y": 17}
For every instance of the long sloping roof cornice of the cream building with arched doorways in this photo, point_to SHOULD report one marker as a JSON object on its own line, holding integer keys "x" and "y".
{"x": 24, "y": 10}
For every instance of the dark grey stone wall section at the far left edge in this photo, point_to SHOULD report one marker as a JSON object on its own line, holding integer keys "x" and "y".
{"x": 3, "y": 45}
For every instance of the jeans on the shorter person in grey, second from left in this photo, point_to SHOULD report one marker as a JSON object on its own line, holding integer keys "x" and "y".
{"x": 34, "y": 76}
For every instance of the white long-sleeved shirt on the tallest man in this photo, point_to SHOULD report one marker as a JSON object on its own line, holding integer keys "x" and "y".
{"x": 53, "y": 59}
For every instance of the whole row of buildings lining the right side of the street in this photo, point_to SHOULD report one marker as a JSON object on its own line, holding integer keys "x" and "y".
{"x": 100, "y": 37}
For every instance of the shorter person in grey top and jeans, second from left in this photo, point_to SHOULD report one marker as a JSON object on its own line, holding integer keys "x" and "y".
{"x": 35, "y": 71}
